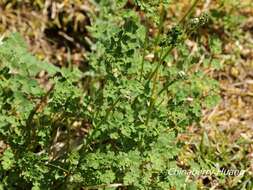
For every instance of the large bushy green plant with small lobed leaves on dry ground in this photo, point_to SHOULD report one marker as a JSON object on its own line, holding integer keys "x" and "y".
{"x": 114, "y": 124}
